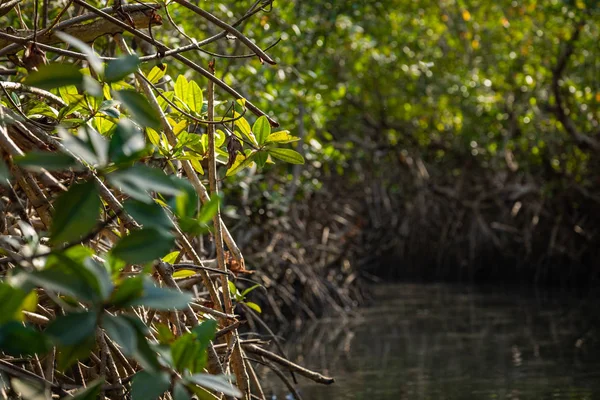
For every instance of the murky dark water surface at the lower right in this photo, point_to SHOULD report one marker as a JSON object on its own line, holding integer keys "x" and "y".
{"x": 443, "y": 342}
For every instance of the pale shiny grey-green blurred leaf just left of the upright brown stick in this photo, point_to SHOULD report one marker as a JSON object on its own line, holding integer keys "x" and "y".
{"x": 139, "y": 180}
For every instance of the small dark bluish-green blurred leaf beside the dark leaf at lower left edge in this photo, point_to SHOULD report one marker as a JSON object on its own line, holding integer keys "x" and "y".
{"x": 72, "y": 329}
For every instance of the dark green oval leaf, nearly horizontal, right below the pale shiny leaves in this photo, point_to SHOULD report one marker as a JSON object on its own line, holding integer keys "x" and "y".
{"x": 143, "y": 246}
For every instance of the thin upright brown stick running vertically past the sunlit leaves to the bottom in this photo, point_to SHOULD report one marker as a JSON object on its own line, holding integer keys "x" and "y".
{"x": 237, "y": 360}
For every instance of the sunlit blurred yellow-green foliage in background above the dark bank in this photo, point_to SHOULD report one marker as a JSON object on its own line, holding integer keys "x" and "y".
{"x": 444, "y": 79}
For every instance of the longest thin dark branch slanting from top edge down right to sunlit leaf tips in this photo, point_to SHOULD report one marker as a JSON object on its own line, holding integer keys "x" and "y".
{"x": 163, "y": 48}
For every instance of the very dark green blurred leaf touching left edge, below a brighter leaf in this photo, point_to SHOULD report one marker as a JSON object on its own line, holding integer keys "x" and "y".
{"x": 17, "y": 339}
